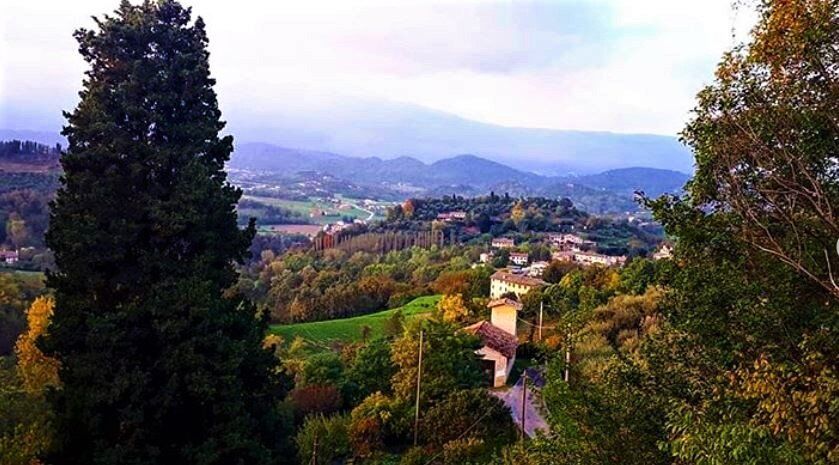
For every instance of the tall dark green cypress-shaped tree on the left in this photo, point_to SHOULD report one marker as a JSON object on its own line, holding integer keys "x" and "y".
{"x": 159, "y": 362}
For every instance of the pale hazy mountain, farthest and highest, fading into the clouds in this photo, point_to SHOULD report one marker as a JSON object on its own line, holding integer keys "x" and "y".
{"x": 389, "y": 129}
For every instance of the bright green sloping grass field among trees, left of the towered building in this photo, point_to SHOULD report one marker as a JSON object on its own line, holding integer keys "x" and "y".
{"x": 349, "y": 329}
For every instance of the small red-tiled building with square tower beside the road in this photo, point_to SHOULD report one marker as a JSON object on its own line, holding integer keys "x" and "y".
{"x": 499, "y": 340}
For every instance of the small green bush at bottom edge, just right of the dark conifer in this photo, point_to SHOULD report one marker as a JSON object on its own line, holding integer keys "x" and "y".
{"x": 329, "y": 433}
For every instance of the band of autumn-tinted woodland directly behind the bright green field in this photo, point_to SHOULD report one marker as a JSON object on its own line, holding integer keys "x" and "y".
{"x": 307, "y": 286}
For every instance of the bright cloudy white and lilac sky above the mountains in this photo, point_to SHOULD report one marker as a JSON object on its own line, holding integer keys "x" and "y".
{"x": 614, "y": 65}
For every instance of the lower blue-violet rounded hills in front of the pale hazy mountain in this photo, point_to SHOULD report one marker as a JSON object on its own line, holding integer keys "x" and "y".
{"x": 610, "y": 190}
